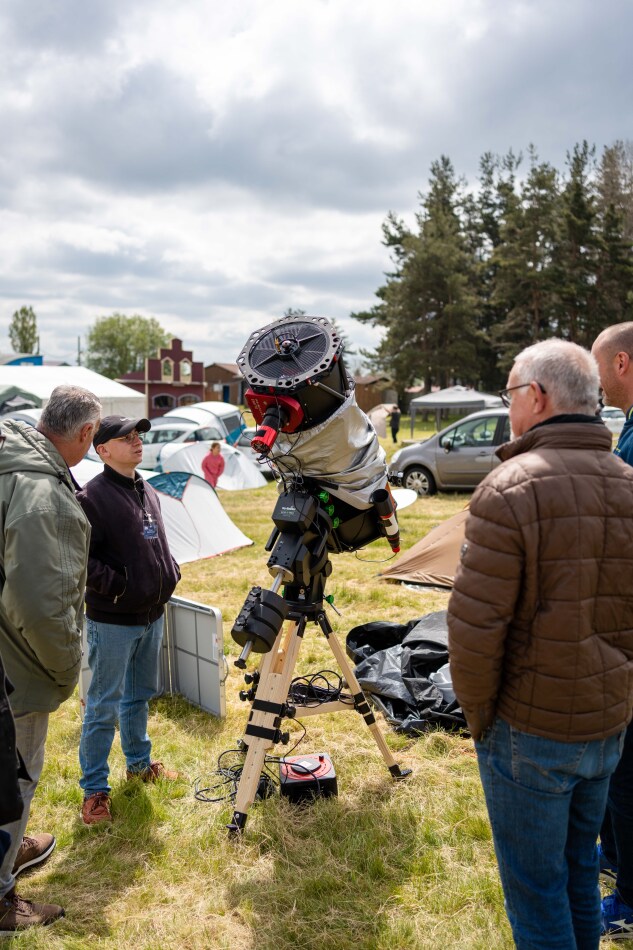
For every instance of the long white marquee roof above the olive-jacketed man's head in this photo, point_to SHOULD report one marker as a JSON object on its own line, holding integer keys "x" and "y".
{"x": 40, "y": 381}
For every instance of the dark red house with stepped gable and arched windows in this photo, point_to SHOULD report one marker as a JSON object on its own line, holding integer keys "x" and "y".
{"x": 169, "y": 380}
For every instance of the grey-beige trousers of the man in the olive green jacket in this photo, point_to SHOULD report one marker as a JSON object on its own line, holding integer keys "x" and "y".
{"x": 30, "y": 736}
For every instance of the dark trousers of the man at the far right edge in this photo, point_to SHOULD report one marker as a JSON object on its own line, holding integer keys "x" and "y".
{"x": 616, "y": 834}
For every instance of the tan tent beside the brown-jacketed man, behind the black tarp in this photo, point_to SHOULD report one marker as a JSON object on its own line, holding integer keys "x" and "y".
{"x": 433, "y": 559}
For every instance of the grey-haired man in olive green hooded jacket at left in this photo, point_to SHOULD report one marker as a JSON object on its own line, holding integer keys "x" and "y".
{"x": 44, "y": 539}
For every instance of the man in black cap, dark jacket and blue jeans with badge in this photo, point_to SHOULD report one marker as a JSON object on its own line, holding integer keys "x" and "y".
{"x": 131, "y": 575}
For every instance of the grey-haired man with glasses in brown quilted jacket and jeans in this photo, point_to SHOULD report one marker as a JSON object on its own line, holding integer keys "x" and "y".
{"x": 541, "y": 642}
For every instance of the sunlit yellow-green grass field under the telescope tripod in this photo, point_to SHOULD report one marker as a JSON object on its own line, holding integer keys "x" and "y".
{"x": 384, "y": 866}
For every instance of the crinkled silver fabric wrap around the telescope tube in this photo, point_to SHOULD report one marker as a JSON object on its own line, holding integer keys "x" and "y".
{"x": 343, "y": 454}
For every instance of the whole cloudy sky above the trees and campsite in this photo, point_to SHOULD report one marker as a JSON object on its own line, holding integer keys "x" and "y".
{"x": 212, "y": 164}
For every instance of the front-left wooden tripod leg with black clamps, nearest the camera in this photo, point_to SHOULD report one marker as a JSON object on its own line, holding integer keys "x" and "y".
{"x": 262, "y": 729}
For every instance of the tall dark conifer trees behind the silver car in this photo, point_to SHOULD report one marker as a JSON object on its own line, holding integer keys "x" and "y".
{"x": 529, "y": 253}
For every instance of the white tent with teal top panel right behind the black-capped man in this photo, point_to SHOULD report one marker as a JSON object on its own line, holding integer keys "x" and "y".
{"x": 197, "y": 525}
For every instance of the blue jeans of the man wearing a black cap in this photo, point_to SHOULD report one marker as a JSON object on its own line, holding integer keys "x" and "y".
{"x": 124, "y": 661}
